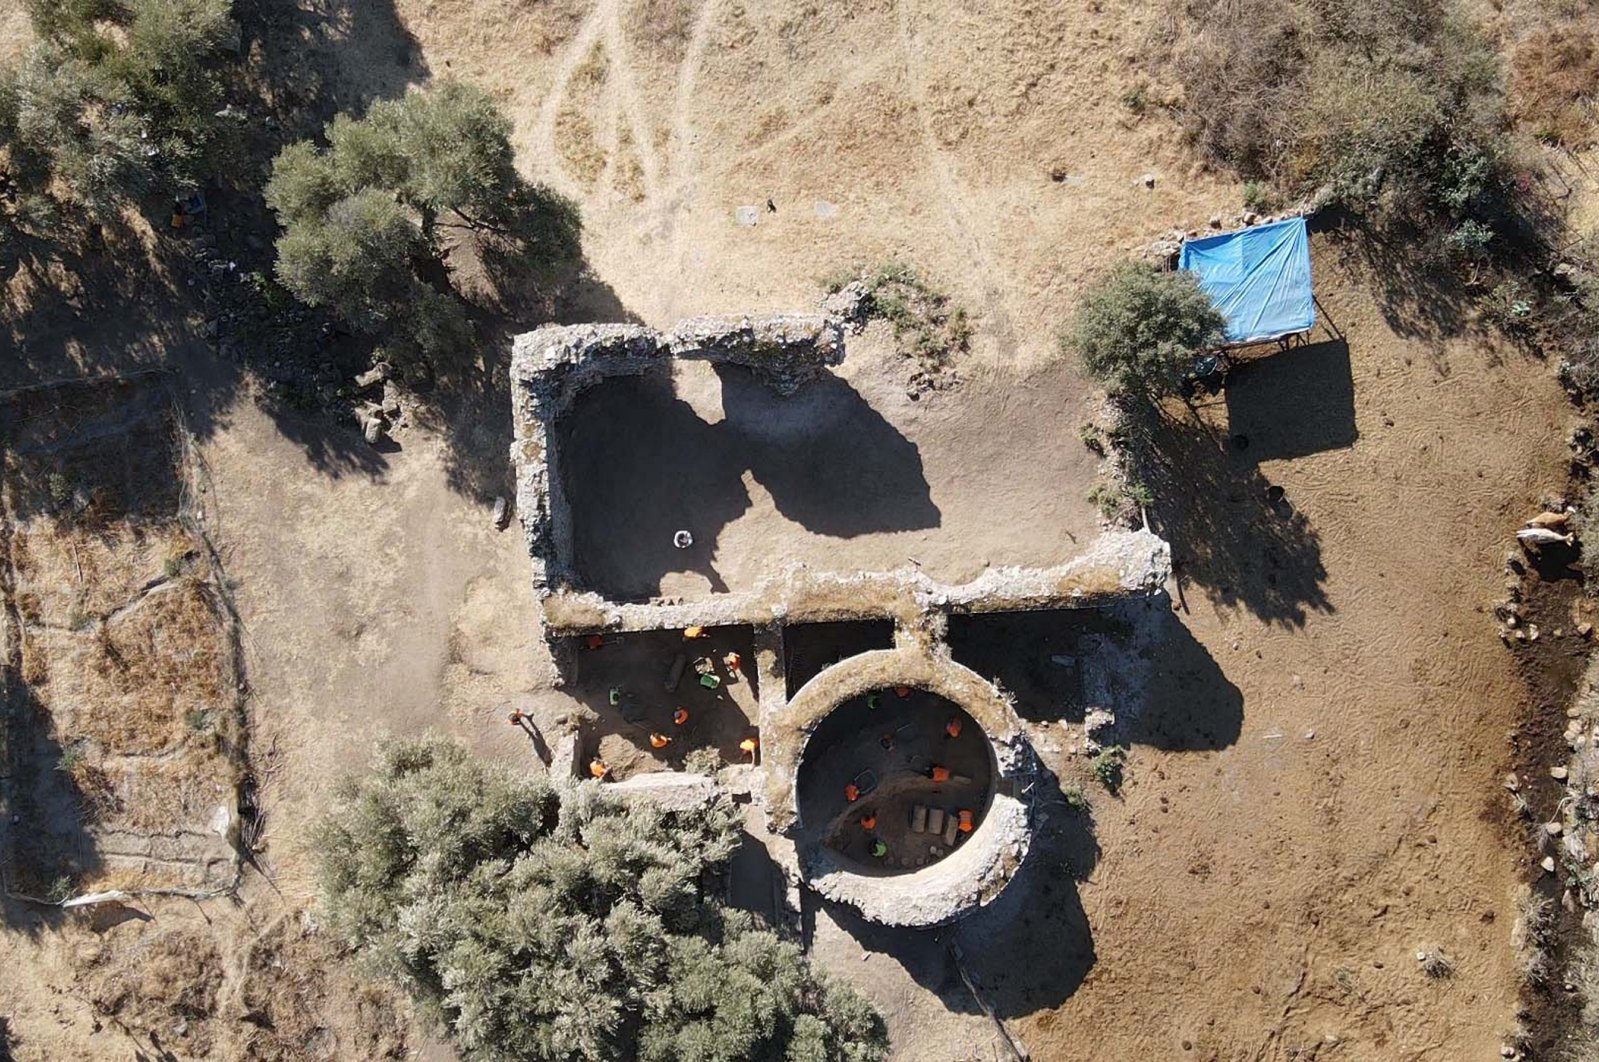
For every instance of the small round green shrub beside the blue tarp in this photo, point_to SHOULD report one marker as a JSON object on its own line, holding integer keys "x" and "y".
{"x": 1139, "y": 330}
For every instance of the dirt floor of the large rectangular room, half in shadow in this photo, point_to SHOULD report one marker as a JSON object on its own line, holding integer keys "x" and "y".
{"x": 851, "y": 474}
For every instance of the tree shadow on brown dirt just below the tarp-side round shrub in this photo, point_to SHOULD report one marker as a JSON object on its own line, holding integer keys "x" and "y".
{"x": 1234, "y": 532}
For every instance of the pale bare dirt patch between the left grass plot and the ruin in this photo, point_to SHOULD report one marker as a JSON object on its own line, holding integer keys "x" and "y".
{"x": 373, "y": 605}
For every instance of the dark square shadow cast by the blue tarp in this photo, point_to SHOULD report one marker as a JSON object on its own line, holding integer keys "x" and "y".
{"x": 1294, "y": 402}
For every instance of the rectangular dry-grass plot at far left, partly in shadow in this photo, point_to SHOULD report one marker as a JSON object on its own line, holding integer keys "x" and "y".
{"x": 124, "y": 729}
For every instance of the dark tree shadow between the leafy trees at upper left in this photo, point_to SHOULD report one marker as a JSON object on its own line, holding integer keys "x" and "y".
{"x": 111, "y": 298}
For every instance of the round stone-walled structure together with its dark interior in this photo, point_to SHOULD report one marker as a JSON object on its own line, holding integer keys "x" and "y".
{"x": 829, "y": 737}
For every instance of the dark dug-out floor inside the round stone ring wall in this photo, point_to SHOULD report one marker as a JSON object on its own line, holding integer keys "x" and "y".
{"x": 890, "y": 749}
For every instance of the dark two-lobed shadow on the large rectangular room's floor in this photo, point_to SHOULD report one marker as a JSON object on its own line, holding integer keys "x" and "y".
{"x": 639, "y": 465}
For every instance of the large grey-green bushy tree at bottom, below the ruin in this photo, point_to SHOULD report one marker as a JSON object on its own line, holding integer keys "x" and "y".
{"x": 549, "y": 924}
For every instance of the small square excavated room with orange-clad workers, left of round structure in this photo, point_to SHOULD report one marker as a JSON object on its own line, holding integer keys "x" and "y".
{"x": 640, "y": 668}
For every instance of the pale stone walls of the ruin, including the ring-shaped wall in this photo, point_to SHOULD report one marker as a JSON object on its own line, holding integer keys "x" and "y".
{"x": 551, "y": 367}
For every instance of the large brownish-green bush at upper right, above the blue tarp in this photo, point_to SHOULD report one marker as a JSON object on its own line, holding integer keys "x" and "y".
{"x": 1394, "y": 106}
